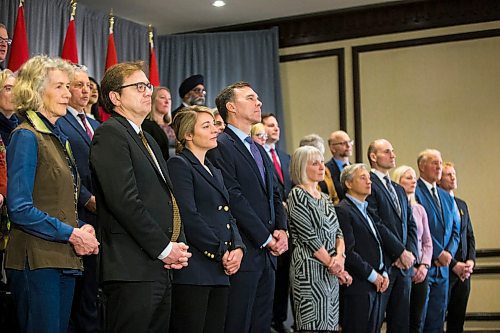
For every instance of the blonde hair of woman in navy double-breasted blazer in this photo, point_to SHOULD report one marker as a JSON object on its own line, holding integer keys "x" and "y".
{"x": 184, "y": 123}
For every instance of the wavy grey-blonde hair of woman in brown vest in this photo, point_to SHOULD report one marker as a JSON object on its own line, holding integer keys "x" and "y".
{"x": 32, "y": 79}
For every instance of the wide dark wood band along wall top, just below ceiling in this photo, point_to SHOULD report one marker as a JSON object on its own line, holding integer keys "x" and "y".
{"x": 374, "y": 20}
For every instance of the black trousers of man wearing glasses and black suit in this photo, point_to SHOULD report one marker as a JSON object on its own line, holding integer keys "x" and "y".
{"x": 142, "y": 306}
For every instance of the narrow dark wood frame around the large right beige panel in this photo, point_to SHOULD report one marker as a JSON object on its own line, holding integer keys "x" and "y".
{"x": 356, "y": 50}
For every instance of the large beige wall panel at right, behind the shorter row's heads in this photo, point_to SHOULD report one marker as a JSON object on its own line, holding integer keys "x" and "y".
{"x": 444, "y": 96}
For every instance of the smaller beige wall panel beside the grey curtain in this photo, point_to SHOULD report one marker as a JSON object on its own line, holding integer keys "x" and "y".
{"x": 310, "y": 98}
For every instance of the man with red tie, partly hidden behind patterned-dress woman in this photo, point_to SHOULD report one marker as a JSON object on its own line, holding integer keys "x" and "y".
{"x": 281, "y": 163}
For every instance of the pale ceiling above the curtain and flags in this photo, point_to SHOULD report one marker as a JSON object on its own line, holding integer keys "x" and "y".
{"x": 175, "y": 16}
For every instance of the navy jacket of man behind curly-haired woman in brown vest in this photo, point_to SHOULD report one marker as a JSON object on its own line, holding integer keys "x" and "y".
{"x": 80, "y": 146}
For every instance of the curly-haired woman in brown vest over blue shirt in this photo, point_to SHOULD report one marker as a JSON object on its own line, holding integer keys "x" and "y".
{"x": 46, "y": 239}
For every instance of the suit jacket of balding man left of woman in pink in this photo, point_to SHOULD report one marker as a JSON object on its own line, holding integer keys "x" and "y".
{"x": 380, "y": 202}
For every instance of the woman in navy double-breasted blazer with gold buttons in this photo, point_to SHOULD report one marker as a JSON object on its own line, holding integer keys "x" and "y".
{"x": 200, "y": 291}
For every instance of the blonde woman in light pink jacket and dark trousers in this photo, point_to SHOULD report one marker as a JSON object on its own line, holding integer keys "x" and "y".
{"x": 407, "y": 178}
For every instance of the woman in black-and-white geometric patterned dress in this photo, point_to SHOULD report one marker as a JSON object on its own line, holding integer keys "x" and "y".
{"x": 317, "y": 264}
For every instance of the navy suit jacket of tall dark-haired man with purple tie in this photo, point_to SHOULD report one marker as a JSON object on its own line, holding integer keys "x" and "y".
{"x": 256, "y": 205}
